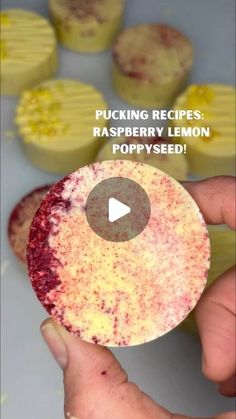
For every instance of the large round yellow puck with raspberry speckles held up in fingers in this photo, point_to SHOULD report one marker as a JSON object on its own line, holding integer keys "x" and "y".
{"x": 118, "y": 293}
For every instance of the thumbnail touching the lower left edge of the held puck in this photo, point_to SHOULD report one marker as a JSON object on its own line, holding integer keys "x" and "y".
{"x": 55, "y": 343}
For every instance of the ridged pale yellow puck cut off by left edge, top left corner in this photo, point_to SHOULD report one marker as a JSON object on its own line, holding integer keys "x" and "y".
{"x": 28, "y": 50}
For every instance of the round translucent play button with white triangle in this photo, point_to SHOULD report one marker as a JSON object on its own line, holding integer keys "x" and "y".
{"x": 117, "y": 209}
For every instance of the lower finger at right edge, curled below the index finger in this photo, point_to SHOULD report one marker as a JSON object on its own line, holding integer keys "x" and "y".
{"x": 215, "y": 316}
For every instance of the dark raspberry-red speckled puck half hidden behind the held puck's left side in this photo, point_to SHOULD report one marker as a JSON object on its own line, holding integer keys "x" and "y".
{"x": 21, "y": 218}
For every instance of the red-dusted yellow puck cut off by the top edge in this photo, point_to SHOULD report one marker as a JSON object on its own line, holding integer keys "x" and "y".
{"x": 86, "y": 26}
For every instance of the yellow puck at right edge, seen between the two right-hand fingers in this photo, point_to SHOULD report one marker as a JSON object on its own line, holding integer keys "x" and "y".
{"x": 223, "y": 251}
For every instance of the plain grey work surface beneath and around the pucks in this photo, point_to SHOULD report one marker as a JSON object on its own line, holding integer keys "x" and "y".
{"x": 169, "y": 368}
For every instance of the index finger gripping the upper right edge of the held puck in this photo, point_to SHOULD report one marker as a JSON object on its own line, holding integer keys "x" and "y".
{"x": 215, "y": 198}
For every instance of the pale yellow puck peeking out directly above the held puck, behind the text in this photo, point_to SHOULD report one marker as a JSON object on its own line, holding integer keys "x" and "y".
{"x": 174, "y": 165}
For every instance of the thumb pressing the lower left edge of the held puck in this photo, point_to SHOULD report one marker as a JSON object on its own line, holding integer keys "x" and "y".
{"x": 96, "y": 386}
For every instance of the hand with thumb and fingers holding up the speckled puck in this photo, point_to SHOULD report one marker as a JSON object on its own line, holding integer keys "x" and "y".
{"x": 96, "y": 386}
